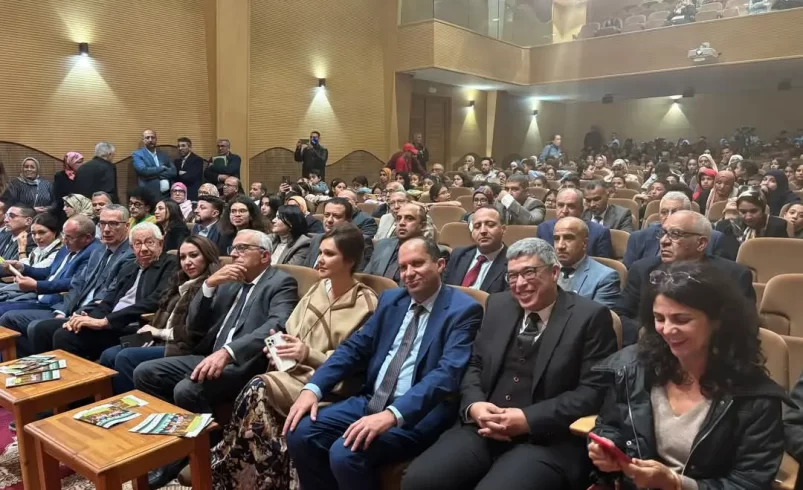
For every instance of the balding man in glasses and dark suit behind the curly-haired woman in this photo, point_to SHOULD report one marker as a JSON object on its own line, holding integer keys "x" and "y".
{"x": 685, "y": 236}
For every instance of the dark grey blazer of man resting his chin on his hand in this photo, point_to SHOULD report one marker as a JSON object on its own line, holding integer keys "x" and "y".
{"x": 268, "y": 308}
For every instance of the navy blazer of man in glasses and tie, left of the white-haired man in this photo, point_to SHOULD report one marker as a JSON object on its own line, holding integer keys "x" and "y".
{"x": 80, "y": 286}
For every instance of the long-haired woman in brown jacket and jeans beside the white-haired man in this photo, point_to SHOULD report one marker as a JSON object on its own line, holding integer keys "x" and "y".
{"x": 198, "y": 259}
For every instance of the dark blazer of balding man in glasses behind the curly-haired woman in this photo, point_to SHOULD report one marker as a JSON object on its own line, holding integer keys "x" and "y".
{"x": 638, "y": 280}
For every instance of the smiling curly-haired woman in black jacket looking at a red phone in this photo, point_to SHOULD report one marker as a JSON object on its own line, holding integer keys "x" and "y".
{"x": 691, "y": 403}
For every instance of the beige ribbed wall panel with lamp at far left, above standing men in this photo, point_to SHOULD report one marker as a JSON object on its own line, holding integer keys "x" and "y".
{"x": 147, "y": 68}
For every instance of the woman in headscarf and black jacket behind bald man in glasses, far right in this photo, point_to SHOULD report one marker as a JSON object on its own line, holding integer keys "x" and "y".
{"x": 753, "y": 221}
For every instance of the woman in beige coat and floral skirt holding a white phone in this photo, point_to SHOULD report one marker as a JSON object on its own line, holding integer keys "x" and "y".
{"x": 253, "y": 453}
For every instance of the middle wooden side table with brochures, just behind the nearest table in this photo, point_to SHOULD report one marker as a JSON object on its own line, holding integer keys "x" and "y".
{"x": 79, "y": 380}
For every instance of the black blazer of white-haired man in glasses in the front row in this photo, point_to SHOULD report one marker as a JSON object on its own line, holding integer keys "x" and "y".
{"x": 150, "y": 287}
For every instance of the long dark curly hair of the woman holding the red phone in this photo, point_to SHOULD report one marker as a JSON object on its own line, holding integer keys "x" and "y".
{"x": 734, "y": 351}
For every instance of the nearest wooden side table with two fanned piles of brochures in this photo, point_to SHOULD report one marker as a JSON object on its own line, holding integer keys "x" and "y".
{"x": 110, "y": 457}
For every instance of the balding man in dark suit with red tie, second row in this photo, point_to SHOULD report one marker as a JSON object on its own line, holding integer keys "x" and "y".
{"x": 481, "y": 266}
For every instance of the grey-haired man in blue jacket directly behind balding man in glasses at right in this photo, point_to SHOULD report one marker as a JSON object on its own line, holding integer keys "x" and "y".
{"x": 645, "y": 243}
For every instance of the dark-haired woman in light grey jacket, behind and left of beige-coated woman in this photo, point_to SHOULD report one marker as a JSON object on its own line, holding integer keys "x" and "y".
{"x": 289, "y": 240}
